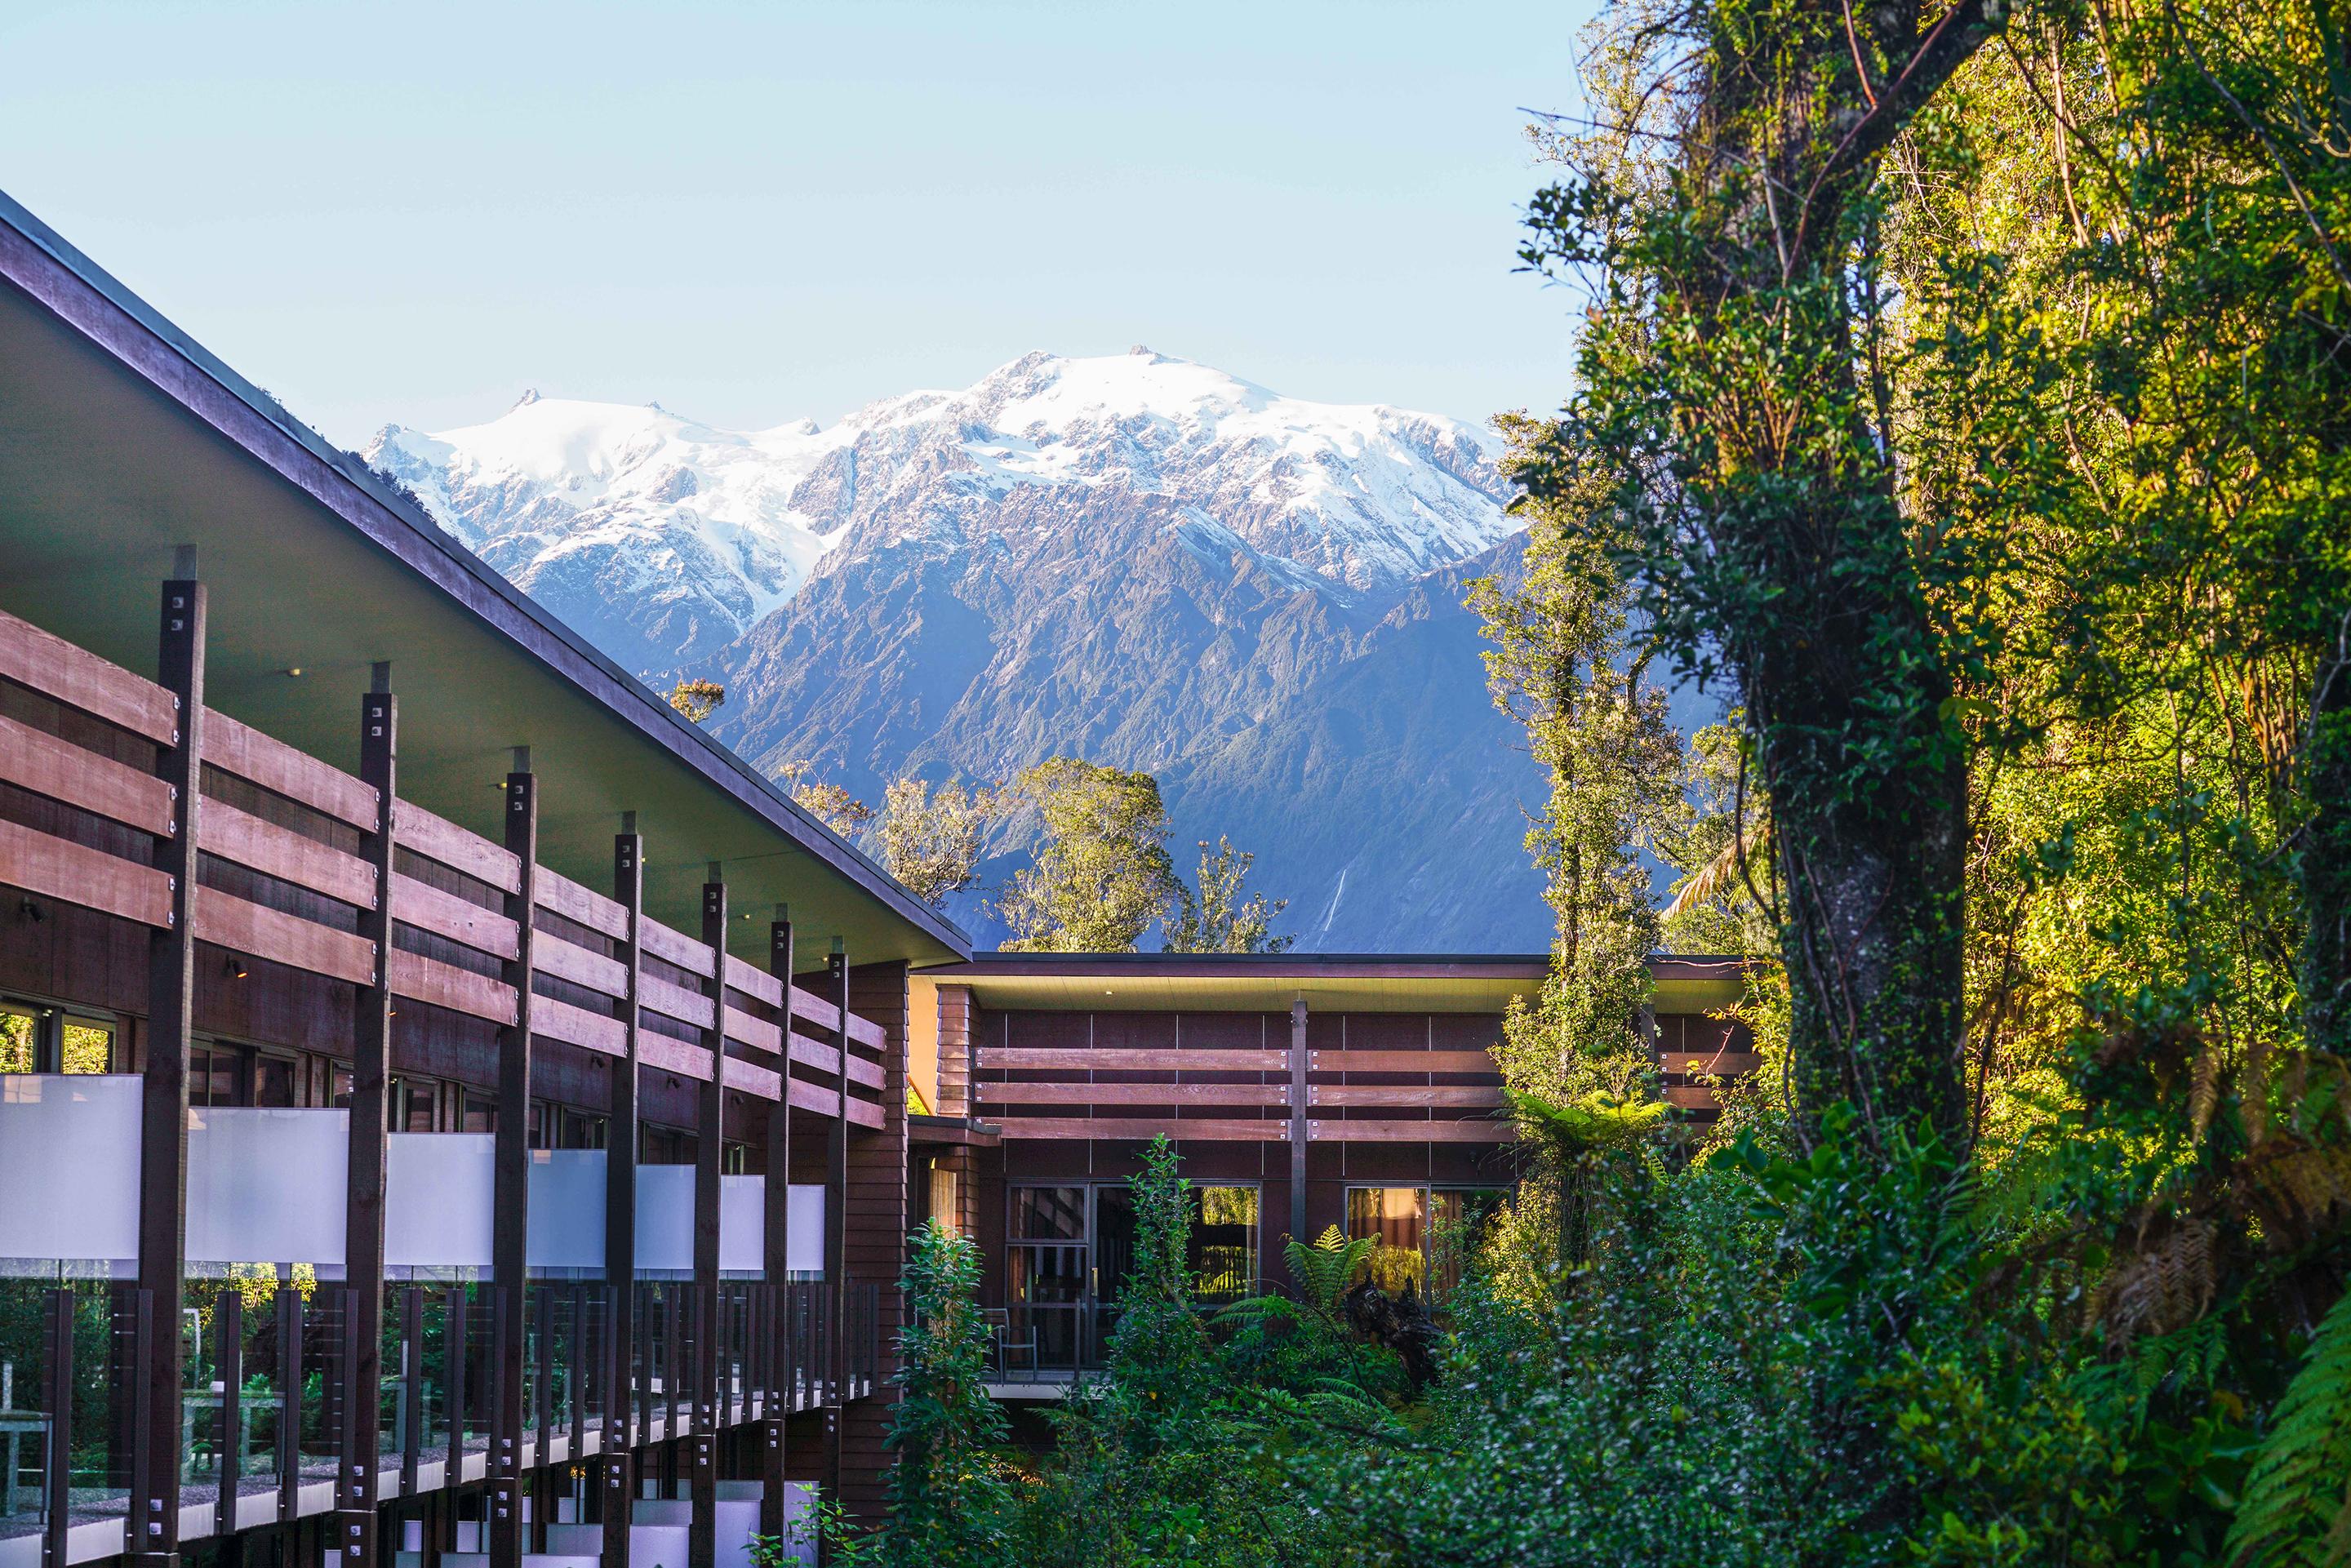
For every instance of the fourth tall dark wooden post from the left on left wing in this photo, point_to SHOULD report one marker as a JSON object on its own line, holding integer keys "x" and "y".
{"x": 622, "y": 1212}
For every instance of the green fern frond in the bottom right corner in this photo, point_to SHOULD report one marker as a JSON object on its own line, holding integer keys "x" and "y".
{"x": 2296, "y": 1508}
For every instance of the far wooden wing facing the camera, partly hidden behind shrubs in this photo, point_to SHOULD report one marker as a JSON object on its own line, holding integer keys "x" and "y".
{"x": 1304, "y": 1092}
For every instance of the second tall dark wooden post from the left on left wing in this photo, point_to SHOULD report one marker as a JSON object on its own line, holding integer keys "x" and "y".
{"x": 370, "y": 1073}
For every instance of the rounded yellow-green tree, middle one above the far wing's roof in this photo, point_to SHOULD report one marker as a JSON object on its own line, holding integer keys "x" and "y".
{"x": 1101, "y": 873}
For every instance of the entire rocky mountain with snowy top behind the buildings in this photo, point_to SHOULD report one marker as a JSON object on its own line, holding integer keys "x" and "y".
{"x": 1130, "y": 558}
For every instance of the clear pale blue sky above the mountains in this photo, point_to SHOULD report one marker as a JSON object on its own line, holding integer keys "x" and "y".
{"x": 763, "y": 213}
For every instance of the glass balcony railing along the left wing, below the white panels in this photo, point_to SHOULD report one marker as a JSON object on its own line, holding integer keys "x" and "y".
{"x": 269, "y": 1372}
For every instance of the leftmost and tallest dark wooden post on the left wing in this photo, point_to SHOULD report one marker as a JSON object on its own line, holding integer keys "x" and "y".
{"x": 152, "y": 1525}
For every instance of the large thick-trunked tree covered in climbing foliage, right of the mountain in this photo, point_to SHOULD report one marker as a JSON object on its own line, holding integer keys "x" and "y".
{"x": 1755, "y": 476}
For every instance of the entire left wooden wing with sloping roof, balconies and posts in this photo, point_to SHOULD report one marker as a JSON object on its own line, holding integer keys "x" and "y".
{"x": 450, "y": 1108}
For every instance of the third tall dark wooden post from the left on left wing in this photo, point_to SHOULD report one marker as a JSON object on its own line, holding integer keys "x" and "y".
{"x": 511, "y": 1191}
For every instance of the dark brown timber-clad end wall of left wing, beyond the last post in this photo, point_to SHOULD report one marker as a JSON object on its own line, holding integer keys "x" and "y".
{"x": 878, "y": 1235}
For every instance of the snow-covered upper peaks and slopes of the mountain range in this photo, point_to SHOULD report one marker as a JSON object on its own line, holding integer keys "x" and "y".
{"x": 692, "y": 535}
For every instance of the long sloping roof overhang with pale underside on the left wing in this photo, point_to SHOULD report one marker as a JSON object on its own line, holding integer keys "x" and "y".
{"x": 121, "y": 441}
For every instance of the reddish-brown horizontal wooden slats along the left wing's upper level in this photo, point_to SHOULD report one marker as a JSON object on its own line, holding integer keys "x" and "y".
{"x": 281, "y": 878}
